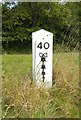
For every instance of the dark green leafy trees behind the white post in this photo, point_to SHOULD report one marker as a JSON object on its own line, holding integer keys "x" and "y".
{"x": 21, "y": 19}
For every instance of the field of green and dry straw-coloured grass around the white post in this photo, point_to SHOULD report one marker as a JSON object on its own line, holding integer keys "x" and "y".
{"x": 22, "y": 98}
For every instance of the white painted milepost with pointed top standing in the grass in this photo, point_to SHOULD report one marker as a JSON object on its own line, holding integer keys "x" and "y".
{"x": 42, "y": 49}
